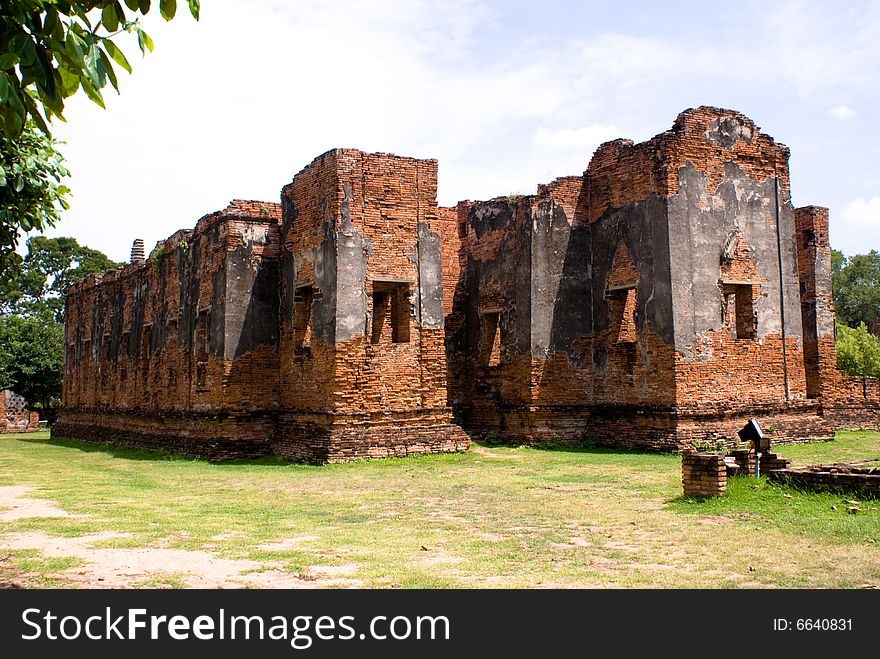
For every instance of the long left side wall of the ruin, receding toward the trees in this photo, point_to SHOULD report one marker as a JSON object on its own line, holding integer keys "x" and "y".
{"x": 188, "y": 334}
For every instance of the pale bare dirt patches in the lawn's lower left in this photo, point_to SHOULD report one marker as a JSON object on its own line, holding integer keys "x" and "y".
{"x": 105, "y": 567}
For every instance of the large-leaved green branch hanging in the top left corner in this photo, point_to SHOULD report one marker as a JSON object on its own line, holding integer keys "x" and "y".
{"x": 50, "y": 49}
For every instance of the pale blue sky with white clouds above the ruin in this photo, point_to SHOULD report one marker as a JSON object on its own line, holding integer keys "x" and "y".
{"x": 505, "y": 95}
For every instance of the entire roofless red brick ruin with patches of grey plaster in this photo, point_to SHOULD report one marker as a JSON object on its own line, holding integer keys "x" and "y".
{"x": 666, "y": 295}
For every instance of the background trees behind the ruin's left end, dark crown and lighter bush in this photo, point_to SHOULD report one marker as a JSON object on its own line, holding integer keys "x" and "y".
{"x": 31, "y": 315}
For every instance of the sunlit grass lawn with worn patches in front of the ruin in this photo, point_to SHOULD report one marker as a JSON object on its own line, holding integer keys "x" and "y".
{"x": 495, "y": 517}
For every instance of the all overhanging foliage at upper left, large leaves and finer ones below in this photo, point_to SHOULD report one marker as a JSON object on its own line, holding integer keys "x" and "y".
{"x": 49, "y": 50}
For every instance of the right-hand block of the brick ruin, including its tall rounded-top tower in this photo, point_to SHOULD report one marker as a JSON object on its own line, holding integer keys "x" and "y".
{"x": 616, "y": 295}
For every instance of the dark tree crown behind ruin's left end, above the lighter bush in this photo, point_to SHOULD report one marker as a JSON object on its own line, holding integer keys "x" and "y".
{"x": 38, "y": 285}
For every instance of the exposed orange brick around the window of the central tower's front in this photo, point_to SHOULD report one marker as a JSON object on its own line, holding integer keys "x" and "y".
{"x": 390, "y": 195}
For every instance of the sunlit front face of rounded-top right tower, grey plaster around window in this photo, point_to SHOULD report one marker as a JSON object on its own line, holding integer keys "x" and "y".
{"x": 738, "y": 332}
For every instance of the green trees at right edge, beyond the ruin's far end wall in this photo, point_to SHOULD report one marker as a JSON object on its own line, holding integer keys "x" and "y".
{"x": 855, "y": 283}
